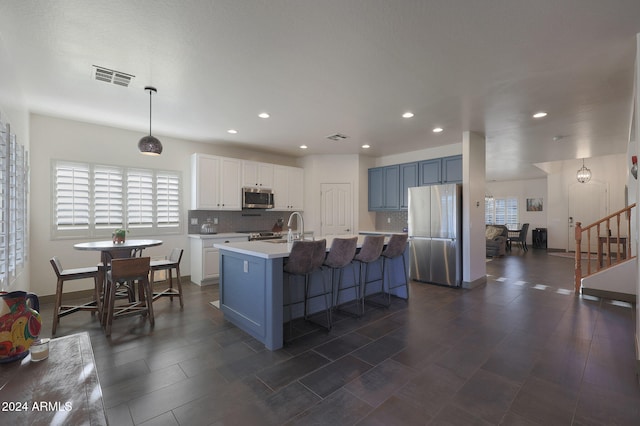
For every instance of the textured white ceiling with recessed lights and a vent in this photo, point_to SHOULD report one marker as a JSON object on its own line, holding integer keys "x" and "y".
{"x": 347, "y": 66}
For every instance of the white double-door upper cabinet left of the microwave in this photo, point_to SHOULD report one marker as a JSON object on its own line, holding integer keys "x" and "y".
{"x": 215, "y": 183}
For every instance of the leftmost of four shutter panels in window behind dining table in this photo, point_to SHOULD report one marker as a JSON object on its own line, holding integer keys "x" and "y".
{"x": 72, "y": 196}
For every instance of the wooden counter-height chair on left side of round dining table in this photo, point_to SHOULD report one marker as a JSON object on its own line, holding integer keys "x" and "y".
{"x": 63, "y": 275}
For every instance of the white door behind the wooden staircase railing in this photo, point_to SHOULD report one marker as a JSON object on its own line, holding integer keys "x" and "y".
{"x": 588, "y": 202}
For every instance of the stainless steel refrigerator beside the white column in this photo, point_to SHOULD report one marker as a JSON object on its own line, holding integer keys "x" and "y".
{"x": 435, "y": 228}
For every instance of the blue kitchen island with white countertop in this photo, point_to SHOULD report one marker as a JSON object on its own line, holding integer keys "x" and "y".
{"x": 252, "y": 283}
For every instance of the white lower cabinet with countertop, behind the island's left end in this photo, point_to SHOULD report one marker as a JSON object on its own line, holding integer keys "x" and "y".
{"x": 205, "y": 259}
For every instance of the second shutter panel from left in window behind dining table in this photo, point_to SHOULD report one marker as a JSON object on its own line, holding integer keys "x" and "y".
{"x": 108, "y": 196}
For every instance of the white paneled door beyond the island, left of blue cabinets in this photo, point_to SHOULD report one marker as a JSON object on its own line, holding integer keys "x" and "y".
{"x": 337, "y": 208}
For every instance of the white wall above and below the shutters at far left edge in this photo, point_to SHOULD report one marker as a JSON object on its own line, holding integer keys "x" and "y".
{"x": 13, "y": 110}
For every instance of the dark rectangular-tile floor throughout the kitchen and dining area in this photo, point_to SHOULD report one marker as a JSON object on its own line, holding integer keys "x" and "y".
{"x": 520, "y": 350}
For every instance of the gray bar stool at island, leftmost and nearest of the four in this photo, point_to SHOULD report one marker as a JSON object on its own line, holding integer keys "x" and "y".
{"x": 305, "y": 258}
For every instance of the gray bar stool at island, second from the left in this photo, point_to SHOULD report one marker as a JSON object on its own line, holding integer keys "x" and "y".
{"x": 341, "y": 254}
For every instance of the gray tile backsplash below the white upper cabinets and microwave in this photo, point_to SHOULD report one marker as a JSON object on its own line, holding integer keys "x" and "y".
{"x": 233, "y": 221}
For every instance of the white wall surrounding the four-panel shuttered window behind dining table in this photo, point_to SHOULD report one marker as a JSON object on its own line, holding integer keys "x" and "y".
{"x": 55, "y": 138}
